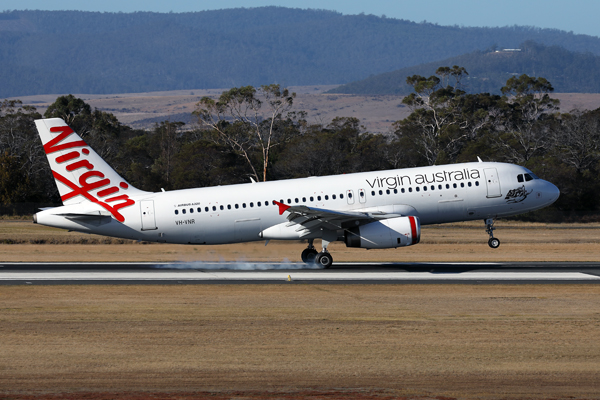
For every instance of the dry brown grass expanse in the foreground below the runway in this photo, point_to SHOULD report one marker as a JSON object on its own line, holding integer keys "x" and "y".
{"x": 456, "y": 341}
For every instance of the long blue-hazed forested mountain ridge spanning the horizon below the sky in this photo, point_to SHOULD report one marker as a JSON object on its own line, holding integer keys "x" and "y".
{"x": 87, "y": 52}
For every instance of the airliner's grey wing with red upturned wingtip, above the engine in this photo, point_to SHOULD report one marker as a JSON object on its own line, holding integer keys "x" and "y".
{"x": 311, "y": 219}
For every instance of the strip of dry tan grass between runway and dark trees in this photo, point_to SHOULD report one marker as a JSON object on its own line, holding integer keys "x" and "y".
{"x": 439, "y": 243}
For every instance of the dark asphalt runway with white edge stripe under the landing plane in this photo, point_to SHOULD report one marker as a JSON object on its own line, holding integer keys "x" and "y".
{"x": 290, "y": 273}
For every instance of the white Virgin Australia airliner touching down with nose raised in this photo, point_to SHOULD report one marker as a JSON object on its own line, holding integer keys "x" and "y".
{"x": 372, "y": 210}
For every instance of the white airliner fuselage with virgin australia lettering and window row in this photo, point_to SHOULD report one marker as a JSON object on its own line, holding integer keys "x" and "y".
{"x": 238, "y": 213}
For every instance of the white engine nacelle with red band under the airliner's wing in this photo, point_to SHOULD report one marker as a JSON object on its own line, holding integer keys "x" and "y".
{"x": 385, "y": 234}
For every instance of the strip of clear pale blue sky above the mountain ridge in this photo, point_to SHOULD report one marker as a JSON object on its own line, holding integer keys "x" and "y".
{"x": 578, "y": 16}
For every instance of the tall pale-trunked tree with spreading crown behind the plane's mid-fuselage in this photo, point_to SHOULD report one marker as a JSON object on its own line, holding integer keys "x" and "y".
{"x": 239, "y": 120}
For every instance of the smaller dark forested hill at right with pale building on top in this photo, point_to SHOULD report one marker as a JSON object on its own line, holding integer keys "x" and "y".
{"x": 569, "y": 72}
